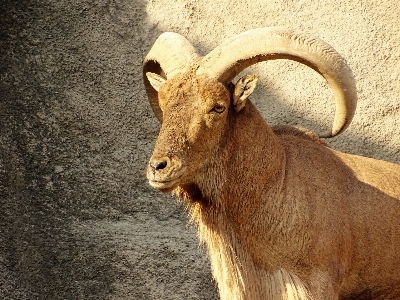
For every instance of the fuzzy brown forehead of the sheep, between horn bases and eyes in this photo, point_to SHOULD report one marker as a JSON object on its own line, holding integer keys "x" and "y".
{"x": 192, "y": 88}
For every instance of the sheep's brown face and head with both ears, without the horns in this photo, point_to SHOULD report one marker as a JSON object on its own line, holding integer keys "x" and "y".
{"x": 196, "y": 112}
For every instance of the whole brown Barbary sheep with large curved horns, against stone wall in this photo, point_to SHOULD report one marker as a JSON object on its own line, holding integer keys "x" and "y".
{"x": 283, "y": 216}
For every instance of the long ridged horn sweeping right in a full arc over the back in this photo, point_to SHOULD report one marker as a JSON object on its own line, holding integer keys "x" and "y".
{"x": 230, "y": 58}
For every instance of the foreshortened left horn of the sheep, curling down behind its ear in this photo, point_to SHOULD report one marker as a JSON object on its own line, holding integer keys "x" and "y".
{"x": 171, "y": 54}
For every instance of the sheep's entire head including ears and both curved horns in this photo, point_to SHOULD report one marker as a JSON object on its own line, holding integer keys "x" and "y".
{"x": 195, "y": 101}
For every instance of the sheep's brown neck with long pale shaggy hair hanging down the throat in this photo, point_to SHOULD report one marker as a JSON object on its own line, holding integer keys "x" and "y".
{"x": 214, "y": 207}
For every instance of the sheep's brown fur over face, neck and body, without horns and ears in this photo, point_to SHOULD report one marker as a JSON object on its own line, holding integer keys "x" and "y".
{"x": 283, "y": 215}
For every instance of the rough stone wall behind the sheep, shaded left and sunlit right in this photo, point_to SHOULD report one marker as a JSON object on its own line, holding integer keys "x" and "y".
{"x": 78, "y": 219}
